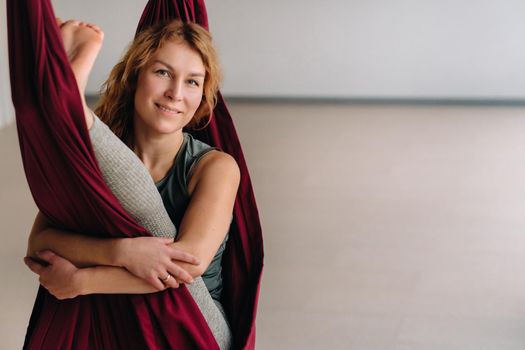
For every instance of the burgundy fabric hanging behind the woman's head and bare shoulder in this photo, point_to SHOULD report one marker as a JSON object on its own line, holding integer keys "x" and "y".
{"x": 243, "y": 259}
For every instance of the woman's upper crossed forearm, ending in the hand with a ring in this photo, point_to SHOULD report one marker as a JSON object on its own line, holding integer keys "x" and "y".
{"x": 153, "y": 258}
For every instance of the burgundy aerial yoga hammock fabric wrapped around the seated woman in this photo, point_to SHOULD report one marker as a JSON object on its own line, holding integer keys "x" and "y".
{"x": 68, "y": 188}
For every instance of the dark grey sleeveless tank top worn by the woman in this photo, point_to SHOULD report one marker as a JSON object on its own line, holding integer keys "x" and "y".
{"x": 173, "y": 189}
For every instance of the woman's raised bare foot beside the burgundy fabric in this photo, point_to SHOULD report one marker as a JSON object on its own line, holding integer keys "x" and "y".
{"x": 82, "y": 43}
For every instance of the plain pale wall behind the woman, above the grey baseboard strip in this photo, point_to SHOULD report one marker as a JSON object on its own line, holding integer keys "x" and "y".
{"x": 331, "y": 48}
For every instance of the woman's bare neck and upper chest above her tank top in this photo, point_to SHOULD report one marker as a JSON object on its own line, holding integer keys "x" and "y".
{"x": 158, "y": 153}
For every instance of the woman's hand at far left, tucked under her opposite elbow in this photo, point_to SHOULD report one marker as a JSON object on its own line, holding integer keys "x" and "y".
{"x": 60, "y": 277}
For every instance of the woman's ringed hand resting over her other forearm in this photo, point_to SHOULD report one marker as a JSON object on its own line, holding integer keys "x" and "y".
{"x": 152, "y": 259}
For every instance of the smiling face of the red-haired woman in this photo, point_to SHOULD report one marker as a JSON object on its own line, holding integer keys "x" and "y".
{"x": 169, "y": 90}
